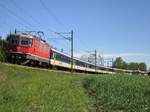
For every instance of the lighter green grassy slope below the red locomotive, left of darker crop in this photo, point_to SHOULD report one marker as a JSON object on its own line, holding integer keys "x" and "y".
{"x": 26, "y": 90}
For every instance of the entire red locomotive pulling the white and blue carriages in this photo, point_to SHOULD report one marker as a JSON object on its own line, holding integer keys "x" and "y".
{"x": 27, "y": 49}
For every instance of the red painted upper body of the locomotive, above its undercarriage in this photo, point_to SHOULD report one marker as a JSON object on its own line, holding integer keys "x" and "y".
{"x": 38, "y": 47}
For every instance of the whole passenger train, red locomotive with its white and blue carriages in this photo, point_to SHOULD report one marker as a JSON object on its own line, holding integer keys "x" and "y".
{"x": 30, "y": 49}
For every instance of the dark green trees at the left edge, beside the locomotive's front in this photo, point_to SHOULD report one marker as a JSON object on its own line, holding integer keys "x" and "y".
{"x": 3, "y": 49}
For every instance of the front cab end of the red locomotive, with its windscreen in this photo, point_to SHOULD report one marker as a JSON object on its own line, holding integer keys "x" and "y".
{"x": 18, "y": 46}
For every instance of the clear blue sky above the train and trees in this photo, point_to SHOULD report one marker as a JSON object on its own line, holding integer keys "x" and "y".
{"x": 113, "y": 27}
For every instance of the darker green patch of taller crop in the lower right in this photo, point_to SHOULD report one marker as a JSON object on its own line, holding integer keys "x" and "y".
{"x": 119, "y": 93}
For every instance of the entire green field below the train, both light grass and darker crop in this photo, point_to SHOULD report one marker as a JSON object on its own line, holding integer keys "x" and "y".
{"x": 23, "y": 89}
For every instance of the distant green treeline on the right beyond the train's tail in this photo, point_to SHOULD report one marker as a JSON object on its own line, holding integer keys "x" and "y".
{"x": 121, "y": 64}
